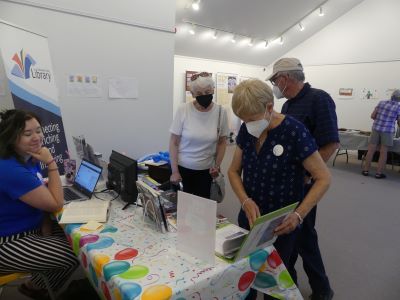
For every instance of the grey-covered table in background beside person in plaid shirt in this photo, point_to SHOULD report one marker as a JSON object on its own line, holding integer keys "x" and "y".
{"x": 353, "y": 140}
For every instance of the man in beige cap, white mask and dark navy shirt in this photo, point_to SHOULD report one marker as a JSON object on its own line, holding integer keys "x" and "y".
{"x": 316, "y": 110}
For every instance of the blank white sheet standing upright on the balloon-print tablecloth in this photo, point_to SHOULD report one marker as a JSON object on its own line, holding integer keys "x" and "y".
{"x": 197, "y": 226}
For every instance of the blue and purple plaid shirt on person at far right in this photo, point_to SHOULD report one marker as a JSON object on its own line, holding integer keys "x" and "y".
{"x": 388, "y": 111}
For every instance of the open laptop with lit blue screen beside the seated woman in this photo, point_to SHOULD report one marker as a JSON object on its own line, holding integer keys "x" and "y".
{"x": 84, "y": 183}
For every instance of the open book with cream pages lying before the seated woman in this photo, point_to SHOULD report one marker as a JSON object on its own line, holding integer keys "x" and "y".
{"x": 85, "y": 211}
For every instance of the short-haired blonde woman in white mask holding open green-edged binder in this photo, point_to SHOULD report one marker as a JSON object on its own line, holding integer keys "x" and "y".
{"x": 273, "y": 151}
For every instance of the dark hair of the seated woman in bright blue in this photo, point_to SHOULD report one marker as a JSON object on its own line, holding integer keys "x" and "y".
{"x": 12, "y": 126}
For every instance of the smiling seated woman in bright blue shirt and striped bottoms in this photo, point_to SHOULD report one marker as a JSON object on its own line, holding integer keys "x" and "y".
{"x": 24, "y": 199}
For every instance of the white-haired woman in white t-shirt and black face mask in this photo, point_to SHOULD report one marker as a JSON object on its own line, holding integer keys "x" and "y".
{"x": 196, "y": 148}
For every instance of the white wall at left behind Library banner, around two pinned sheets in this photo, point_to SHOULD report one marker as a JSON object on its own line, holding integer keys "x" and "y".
{"x": 82, "y": 45}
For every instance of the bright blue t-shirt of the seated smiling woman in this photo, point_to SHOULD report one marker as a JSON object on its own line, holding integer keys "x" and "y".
{"x": 16, "y": 180}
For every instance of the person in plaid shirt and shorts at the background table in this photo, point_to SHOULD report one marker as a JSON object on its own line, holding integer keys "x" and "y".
{"x": 385, "y": 115}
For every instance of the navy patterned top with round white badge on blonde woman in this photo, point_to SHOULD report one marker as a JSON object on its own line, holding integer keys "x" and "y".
{"x": 274, "y": 178}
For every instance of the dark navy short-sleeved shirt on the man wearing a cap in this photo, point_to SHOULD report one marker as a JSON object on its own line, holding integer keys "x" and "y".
{"x": 317, "y": 111}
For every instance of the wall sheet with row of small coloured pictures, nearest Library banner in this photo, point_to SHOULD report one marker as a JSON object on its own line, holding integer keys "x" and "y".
{"x": 87, "y": 86}
